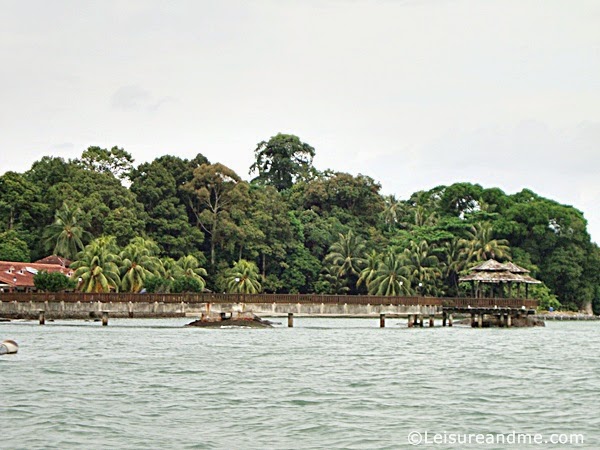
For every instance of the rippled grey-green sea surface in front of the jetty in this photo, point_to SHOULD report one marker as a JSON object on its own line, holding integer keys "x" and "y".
{"x": 326, "y": 383}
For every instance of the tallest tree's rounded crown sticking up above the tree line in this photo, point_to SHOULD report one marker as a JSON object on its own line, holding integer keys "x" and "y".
{"x": 282, "y": 160}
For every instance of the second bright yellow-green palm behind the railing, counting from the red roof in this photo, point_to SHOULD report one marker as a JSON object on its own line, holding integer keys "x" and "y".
{"x": 138, "y": 261}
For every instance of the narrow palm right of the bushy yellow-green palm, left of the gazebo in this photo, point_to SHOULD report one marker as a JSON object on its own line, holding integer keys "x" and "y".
{"x": 423, "y": 267}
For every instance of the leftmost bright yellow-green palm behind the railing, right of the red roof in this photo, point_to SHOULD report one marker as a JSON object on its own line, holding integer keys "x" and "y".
{"x": 96, "y": 268}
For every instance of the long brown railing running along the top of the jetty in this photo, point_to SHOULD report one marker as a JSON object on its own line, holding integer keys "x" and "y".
{"x": 113, "y": 297}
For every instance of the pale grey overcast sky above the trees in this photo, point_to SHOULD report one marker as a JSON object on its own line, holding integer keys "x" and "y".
{"x": 412, "y": 93}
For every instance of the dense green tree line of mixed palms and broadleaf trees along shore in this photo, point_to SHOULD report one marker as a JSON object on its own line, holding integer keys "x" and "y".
{"x": 178, "y": 225}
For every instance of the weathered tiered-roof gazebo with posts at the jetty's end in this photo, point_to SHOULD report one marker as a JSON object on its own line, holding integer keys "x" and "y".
{"x": 494, "y": 273}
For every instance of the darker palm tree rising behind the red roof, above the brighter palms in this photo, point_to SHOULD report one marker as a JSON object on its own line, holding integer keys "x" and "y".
{"x": 66, "y": 233}
